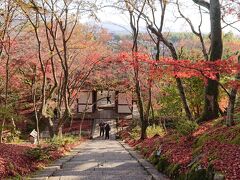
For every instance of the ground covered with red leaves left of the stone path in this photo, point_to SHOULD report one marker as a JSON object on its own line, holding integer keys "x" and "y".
{"x": 17, "y": 160}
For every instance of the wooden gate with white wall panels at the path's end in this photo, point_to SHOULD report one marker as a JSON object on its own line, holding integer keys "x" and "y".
{"x": 103, "y": 105}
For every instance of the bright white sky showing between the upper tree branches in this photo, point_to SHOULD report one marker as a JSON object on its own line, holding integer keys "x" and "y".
{"x": 172, "y": 21}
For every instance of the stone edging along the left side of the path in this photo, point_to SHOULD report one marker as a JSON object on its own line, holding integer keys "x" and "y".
{"x": 49, "y": 170}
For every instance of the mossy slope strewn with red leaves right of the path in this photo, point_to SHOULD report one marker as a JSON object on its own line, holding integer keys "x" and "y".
{"x": 211, "y": 150}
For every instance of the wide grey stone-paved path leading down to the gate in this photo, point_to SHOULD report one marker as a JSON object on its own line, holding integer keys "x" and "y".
{"x": 101, "y": 159}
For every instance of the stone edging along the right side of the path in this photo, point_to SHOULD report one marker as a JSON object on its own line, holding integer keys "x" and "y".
{"x": 156, "y": 175}
